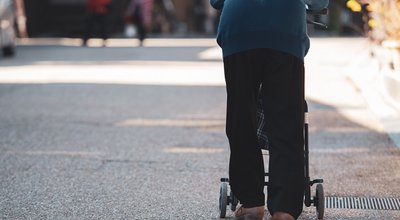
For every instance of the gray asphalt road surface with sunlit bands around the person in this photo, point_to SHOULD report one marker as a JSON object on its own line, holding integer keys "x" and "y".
{"x": 122, "y": 132}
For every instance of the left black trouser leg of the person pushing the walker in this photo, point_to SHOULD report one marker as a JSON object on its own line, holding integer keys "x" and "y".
{"x": 246, "y": 167}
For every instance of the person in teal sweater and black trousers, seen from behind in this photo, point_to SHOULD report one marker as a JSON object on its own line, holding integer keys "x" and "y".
{"x": 264, "y": 43}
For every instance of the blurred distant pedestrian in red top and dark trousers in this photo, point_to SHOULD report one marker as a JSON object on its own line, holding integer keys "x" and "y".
{"x": 97, "y": 19}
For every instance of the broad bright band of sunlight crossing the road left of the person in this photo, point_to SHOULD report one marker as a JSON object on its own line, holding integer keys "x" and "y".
{"x": 142, "y": 73}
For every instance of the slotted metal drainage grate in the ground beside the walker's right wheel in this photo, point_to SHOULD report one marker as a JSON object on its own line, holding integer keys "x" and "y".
{"x": 362, "y": 203}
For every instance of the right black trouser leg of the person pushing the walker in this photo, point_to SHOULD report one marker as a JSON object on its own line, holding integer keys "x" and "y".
{"x": 283, "y": 103}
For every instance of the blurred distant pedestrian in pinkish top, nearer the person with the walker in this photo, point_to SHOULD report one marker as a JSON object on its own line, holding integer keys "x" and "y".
{"x": 139, "y": 12}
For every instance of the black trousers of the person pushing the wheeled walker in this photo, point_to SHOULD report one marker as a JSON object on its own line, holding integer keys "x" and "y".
{"x": 282, "y": 79}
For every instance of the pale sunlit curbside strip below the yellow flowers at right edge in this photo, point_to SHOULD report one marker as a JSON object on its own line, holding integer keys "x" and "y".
{"x": 380, "y": 87}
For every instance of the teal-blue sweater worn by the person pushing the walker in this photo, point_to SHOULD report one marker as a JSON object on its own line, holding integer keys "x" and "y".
{"x": 274, "y": 24}
